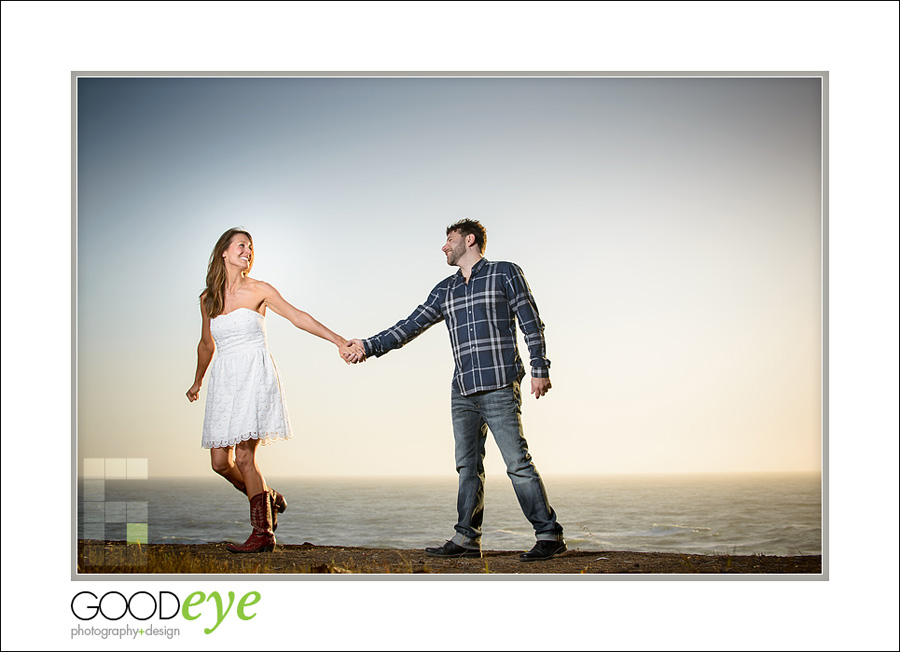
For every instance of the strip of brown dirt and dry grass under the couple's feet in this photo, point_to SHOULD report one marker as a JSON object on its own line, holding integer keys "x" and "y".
{"x": 119, "y": 557}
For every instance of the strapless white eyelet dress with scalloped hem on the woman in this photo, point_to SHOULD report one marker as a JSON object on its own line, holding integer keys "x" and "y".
{"x": 244, "y": 397}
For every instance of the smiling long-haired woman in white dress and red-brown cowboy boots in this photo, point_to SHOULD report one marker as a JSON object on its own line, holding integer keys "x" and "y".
{"x": 245, "y": 405}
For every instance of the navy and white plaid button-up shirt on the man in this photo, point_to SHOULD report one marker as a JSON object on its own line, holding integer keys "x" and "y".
{"x": 481, "y": 317}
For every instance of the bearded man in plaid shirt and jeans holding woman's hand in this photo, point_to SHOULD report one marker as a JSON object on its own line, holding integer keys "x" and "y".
{"x": 480, "y": 304}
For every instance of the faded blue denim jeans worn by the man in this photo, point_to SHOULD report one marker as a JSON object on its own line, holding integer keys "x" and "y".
{"x": 500, "y": 411}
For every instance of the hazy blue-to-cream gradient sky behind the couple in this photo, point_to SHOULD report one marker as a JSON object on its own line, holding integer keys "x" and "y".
{"x": 670, "y": 229}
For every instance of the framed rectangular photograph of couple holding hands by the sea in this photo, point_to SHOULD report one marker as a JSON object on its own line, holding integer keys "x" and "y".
{"x": 651, "y": 243}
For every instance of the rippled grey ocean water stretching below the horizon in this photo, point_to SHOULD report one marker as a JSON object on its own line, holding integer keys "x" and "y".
{"x": 771, "y": 514}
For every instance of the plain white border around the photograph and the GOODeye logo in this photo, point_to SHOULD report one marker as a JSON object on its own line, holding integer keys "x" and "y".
{"x": 857, "y": 44}
